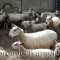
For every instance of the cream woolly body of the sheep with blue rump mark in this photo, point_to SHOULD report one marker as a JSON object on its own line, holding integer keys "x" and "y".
{"x": 42, "y": 39}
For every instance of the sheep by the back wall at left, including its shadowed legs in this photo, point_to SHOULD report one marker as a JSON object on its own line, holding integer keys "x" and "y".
{"x": 16, "y": 18}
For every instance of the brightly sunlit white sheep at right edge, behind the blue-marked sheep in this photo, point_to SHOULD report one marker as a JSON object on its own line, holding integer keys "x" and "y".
{"x": 54, "y": 20}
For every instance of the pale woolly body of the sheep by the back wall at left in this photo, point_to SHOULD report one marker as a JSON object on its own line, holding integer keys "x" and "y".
{"x": 17, "y": 17}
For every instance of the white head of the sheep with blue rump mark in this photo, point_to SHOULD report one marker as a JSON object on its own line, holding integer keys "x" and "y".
{"x": 15, "y": 31}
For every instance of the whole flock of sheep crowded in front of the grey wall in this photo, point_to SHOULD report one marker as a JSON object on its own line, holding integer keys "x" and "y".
{"x": 36, "y": 34}
